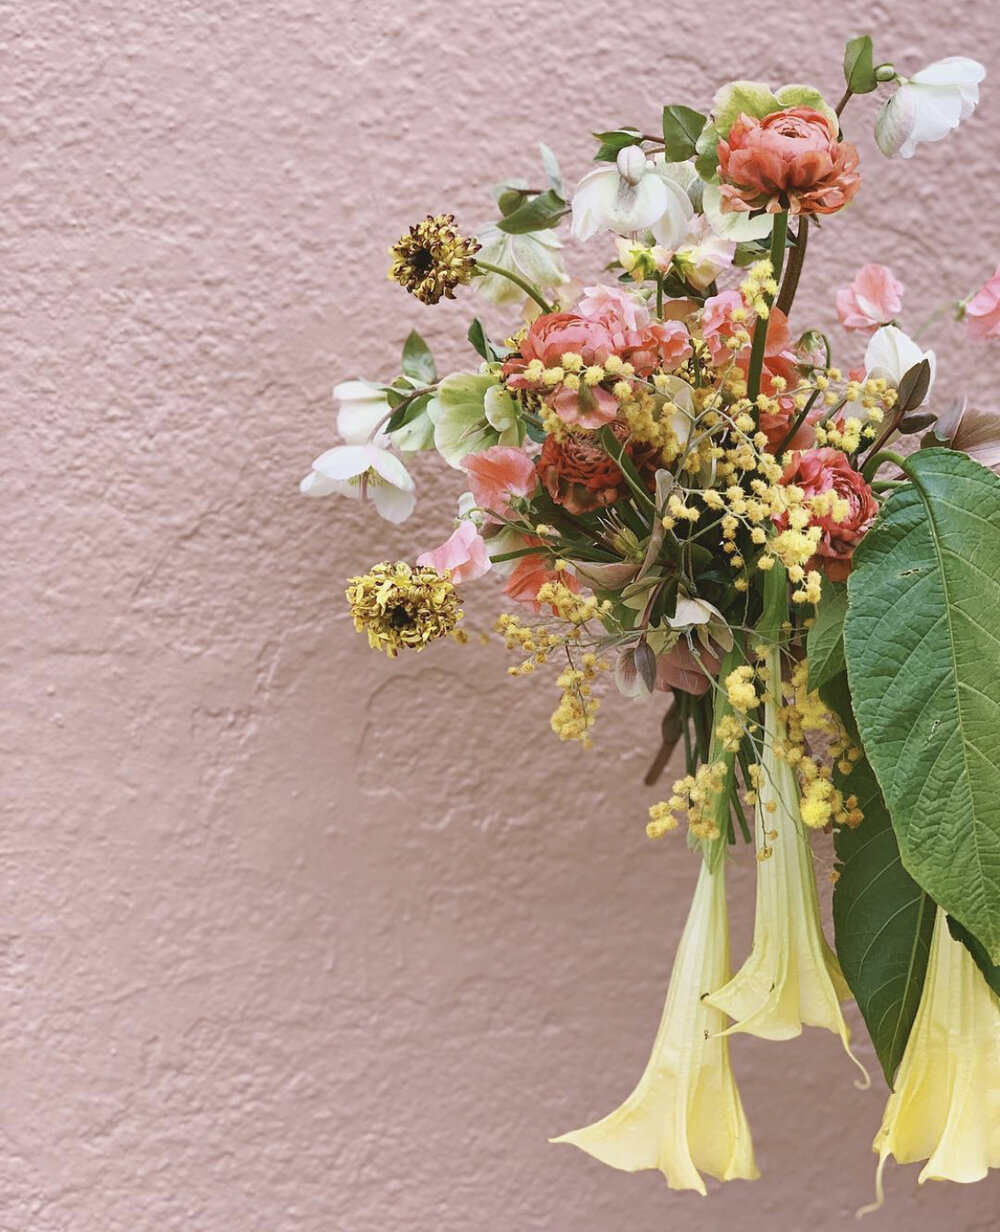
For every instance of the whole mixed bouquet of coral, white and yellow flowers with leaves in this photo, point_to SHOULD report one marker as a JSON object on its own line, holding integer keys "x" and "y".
{"x": 687, "y": 496}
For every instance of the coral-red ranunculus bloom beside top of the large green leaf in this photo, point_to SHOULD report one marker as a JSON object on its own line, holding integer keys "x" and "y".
{"x": 821, "y": 471}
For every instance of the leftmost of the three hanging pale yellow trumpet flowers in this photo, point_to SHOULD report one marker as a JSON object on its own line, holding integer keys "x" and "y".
{"x": 685, "y": 1117}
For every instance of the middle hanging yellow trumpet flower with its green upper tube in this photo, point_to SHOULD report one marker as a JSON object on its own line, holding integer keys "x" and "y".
{"x": 792, "y": 978}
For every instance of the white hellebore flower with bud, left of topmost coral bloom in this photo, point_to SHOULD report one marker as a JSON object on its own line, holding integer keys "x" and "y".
{"x": 636, "y": 195}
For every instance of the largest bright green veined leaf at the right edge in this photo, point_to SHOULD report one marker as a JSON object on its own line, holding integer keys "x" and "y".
{"x": 923, "y": 651}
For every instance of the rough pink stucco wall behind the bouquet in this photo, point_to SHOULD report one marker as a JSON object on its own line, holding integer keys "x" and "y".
{"x": 294, "y": 939}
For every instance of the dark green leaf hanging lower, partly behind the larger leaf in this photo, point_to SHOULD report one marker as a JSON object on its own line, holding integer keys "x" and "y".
{"x": 882, "y": 922}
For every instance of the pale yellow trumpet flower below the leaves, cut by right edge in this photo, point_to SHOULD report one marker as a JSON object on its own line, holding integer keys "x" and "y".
{"x": 946, "y": 1103}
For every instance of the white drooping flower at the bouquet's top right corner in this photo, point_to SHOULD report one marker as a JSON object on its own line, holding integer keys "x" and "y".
{"x": 929, "y": 105}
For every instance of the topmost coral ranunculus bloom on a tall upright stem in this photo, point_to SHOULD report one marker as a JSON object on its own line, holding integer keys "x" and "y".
{"x": 789, "y": 161}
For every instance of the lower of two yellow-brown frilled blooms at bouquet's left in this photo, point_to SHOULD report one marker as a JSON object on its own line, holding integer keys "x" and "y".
{"x": 403, "y": 607}
